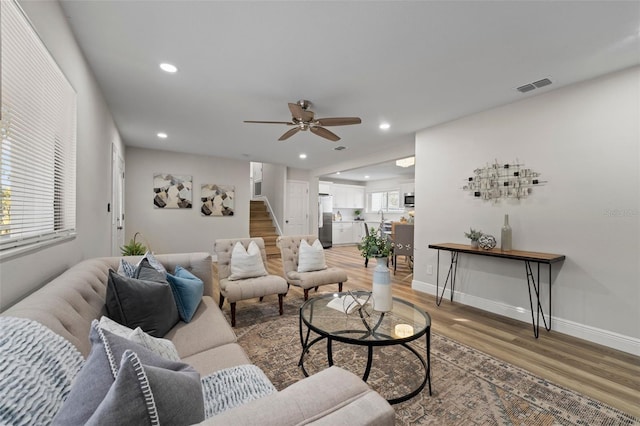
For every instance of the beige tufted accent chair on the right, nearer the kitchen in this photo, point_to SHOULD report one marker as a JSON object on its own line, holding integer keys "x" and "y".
{"x": 289, "y": 249}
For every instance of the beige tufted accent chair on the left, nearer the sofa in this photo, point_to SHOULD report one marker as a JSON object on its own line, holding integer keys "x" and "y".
{"x": 248, "y": 288}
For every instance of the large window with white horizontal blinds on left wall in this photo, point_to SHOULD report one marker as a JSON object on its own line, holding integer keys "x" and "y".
{"x": 38, "y": 131}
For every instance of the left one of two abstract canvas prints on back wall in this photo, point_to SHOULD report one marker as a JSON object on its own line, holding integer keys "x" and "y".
{"x": 172, "y": 191}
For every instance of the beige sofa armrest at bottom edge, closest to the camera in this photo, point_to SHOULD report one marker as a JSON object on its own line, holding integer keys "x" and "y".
{"x": 331, "y": 397}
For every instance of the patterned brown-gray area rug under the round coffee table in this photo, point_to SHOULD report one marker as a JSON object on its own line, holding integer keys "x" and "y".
{"x": 469, "y": 386}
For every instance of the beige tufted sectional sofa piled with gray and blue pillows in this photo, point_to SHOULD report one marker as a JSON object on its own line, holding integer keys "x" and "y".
{"x": 68, "y": 304}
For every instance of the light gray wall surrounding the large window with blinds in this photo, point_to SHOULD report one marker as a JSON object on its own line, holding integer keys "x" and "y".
{"x": 96, "y": 132}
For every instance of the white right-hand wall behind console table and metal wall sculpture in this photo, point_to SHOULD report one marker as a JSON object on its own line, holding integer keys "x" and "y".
{"x": 585, "y": 140}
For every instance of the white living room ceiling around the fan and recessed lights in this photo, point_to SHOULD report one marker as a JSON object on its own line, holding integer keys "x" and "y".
{"x": 412, "y": 64}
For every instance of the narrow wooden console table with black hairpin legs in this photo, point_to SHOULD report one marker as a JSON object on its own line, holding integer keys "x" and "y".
{"x": 528, "y": 257}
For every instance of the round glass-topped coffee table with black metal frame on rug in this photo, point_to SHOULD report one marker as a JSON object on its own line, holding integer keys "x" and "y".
{"x": 327, "y": 316}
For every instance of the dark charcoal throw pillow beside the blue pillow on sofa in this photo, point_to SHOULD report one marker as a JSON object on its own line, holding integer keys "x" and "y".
{"x": 140, "y": 303}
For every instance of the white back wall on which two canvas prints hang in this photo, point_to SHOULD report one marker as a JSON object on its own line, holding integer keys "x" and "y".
{"x": 183, "y": 230}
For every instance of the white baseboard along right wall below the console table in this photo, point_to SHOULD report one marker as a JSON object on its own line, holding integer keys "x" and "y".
{"x": 592, "y": 334}
